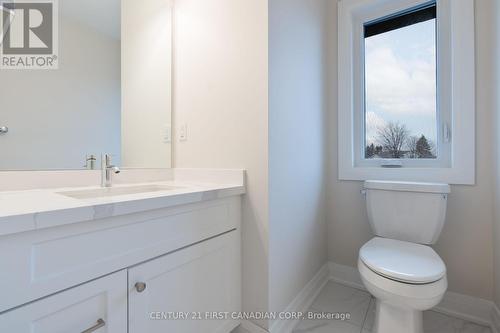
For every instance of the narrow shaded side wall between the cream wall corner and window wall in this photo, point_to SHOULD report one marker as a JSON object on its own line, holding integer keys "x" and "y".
{"x": 297, "y": 146}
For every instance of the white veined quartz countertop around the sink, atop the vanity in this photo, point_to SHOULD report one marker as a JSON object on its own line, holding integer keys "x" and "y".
{"x": 28, "y": 210}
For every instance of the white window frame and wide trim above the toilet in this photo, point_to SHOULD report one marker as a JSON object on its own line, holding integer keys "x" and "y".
{"x": 455, "y": 91}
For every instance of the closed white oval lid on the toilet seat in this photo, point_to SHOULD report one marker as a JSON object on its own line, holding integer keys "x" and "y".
{"x": 403, "y": 261}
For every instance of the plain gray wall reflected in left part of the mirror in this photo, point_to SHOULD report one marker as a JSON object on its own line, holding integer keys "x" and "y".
{"x": 56, "y": 117}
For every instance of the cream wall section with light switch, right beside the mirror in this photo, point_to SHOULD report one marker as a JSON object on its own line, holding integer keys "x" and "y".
{"x": 221, "y": 93}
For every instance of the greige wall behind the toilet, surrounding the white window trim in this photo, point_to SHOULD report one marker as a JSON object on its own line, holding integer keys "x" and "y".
{"x": 466, "y": 243}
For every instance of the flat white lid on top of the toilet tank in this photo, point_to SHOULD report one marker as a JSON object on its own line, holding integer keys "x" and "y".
{"x": 407, "y": 186}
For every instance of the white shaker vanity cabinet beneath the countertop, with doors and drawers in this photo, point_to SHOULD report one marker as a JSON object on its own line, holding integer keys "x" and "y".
{"x": 127, "y": 274}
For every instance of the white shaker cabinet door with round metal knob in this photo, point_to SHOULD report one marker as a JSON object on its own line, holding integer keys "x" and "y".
{"x": 196, "y": 282}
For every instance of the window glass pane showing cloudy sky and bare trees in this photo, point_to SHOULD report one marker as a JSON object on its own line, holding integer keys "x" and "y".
{"x": 400, "y": 79}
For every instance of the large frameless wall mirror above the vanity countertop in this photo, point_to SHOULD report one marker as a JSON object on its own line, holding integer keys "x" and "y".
{"x": 110, "y": 92}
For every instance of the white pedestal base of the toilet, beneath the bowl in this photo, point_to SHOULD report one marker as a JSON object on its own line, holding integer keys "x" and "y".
{"x": 396, "y": 319}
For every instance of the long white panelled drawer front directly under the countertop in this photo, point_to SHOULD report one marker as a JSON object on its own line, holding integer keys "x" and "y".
{"x": 40, "y": 263}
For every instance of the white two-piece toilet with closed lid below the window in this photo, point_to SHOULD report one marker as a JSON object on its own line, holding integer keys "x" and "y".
{"x": 398, "y": 267}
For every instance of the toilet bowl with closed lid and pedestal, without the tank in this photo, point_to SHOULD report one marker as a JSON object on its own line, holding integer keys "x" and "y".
{"x": 405, "y": 279}
